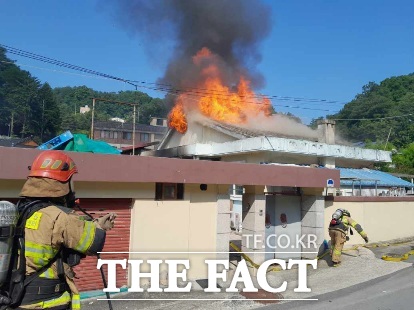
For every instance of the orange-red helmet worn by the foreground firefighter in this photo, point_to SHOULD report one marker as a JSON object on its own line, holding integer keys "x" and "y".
{"x": 54, "y": 165}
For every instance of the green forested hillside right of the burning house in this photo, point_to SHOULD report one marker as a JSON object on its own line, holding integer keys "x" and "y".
{"x": 389, "y": 108}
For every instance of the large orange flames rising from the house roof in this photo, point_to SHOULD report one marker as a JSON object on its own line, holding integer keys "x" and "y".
{"x": 216, "y": 100}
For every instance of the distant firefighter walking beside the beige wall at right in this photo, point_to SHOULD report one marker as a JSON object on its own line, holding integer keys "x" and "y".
{"x": 338, "y": 231}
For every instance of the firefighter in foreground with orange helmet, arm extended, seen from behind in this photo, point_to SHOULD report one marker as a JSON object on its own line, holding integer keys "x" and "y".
{"x": 55, "y": 235}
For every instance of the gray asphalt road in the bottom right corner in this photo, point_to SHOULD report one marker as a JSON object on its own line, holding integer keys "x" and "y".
{"x": 391, "y": 292}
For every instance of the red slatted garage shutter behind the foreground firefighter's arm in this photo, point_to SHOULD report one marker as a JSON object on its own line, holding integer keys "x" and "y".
{"x": 88, "y": 277}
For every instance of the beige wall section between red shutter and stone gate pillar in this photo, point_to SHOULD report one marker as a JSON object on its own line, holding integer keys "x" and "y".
{"x": 189, "y": 225}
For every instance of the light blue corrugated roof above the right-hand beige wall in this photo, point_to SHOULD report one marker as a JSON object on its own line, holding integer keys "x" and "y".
{"x": 368, "y": 178}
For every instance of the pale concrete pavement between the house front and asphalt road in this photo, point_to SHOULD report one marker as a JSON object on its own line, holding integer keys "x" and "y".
{"x": 358, "y": 266}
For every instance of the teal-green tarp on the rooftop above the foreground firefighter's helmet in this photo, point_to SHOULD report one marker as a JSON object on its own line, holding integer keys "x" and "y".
{"x": 81, "y": 143}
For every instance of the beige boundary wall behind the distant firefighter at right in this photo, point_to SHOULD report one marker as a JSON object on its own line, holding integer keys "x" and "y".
{"x": 382, "y": 221}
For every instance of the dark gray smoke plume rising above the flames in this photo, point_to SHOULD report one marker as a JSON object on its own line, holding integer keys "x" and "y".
{"x": 232, "y": 29}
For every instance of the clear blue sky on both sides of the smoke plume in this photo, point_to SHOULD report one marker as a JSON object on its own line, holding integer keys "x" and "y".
{"x": 324, "y": 50}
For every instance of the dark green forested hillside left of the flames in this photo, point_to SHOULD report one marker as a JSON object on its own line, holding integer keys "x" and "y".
{"x": 30, "y": 108}
